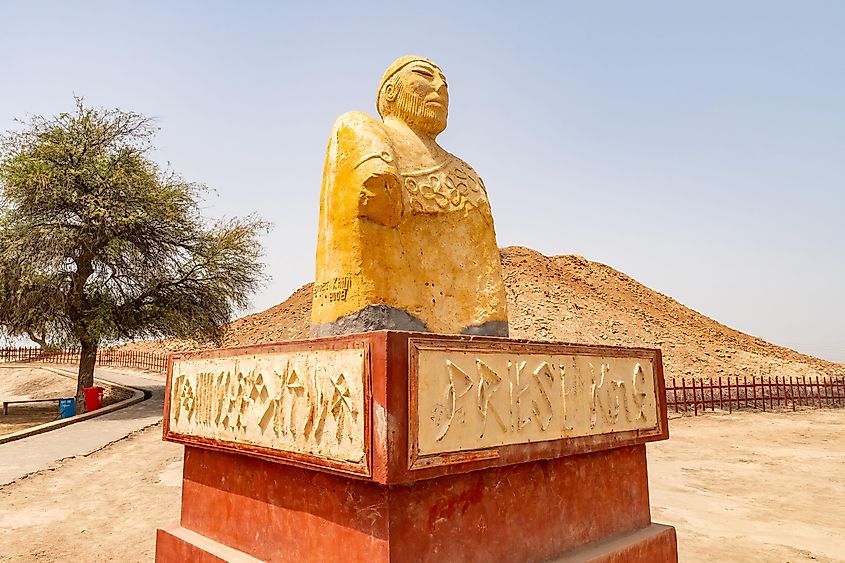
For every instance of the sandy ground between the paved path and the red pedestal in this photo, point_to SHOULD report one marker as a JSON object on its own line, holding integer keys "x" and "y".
{"x": 103, "y": 507}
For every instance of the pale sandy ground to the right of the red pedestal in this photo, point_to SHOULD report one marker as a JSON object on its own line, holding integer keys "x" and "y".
{"x": 753, "y": 486}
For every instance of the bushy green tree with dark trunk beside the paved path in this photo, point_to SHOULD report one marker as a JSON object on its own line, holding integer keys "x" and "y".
{"x": 99, "y": 244}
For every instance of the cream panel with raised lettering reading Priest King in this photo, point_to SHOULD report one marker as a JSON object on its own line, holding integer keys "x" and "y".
{"x": 473, "y": 400}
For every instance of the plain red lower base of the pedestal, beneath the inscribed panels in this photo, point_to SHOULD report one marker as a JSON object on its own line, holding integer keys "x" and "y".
{"x": 238, "y": 508}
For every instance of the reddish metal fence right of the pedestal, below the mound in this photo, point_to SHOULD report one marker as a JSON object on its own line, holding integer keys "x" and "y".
{"x": 696, "y": 396}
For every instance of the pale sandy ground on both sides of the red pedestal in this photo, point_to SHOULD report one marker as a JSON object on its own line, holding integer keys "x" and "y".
{"x": 741, "y": 487}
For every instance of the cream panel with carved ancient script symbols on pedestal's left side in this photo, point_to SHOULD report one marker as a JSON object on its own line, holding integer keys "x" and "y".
{"x": 304, "y": 402}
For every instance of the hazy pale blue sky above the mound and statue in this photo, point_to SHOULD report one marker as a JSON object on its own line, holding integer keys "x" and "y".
{"x": 697, "y": 147}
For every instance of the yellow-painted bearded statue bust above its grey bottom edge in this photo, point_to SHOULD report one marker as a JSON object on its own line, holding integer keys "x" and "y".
{"x": 403, "y": 222}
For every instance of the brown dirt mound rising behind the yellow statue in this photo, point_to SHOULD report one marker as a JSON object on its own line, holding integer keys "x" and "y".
{"x": 571, "y": 299}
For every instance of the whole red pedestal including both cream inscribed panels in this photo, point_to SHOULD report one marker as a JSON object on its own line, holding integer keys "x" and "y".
{"x": 394, "y": 446}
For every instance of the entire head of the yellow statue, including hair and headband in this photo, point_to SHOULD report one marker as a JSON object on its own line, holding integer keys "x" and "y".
{"x": 414, "y": 90}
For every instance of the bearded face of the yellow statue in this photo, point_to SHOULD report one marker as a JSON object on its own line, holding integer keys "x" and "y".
{"x": 422, "y": 98}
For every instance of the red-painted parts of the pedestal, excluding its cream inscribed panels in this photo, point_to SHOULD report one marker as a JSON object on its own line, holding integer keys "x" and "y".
{"x": 572, "y": 499}
